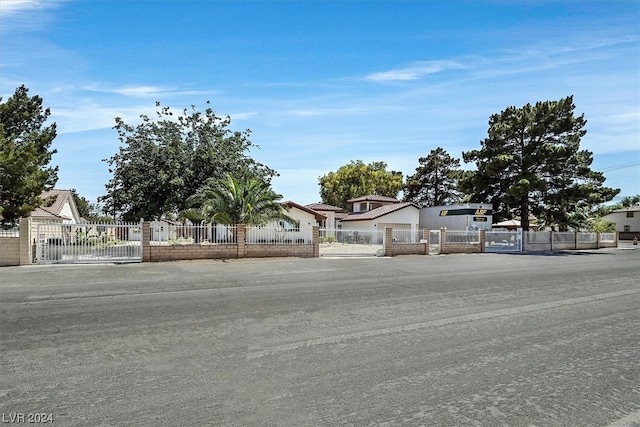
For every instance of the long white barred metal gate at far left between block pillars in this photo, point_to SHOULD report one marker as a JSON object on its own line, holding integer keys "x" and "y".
{"x": 88, "y": 243}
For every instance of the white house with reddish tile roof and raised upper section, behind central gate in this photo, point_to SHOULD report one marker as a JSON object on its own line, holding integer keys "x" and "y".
{"x": 375, "y": 213}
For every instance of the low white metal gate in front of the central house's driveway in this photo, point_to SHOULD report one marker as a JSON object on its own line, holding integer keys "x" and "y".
{"x": 343, "y": 242}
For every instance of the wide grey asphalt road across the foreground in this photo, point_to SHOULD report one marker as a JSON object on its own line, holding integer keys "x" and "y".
{"x": 458, "y": 340}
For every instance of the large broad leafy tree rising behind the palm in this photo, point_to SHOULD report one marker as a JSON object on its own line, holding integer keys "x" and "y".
{"x": 163, "y": 162}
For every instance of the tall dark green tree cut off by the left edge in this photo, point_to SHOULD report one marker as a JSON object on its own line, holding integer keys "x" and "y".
{"x": 25, "y": 155}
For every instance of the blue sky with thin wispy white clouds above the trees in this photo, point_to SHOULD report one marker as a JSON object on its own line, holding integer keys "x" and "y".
{"x": 321, "y": 83}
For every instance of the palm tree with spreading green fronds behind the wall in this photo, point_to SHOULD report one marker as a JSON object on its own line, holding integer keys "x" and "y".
{"x": 230, "y": 201}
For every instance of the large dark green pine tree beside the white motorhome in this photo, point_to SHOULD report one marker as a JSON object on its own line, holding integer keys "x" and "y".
{"x": 531, "y": 163}
